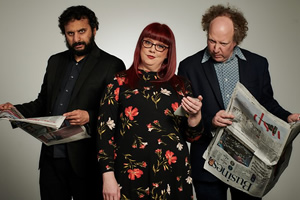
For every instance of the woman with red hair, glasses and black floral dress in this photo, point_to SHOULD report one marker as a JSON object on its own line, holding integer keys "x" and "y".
{"x": 142, "y": 150}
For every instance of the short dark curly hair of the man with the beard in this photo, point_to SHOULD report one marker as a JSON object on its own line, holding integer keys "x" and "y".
{"x": 77, "y": 12}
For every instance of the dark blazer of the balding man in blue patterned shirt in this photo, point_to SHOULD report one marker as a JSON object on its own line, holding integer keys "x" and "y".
{"x": 254, "y": 75}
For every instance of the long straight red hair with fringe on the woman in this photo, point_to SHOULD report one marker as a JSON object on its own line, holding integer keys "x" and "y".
{"x": 164, "y": 34}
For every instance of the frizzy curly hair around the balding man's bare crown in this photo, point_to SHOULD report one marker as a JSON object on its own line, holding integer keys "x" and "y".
{"x": 239, "y": 22}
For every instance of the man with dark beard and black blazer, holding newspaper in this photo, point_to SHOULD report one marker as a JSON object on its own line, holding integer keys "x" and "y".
{"x": 73, "y": 85}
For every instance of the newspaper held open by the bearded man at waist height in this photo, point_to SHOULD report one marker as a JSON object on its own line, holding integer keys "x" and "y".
{"x": 49, "y": 130}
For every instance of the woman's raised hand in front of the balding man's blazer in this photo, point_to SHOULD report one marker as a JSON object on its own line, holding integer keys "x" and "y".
{"x": 193, "y": 107}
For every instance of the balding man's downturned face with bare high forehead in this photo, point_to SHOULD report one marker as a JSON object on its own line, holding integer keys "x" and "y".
{"x": 220, "y": 39}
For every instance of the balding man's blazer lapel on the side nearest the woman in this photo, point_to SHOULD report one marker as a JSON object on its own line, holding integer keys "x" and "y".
{"x": 211, "y": 76}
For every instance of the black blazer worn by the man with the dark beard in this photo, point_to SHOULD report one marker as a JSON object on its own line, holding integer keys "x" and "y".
{"x": 98, "y": 70}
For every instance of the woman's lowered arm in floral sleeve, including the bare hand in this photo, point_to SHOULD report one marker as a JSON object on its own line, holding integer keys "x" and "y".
{"x": 107, "y": 120}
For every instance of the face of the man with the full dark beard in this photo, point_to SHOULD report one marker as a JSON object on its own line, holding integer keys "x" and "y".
{"x": 79, "y": 36}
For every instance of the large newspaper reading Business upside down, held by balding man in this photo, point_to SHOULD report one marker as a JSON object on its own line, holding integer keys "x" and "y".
{"x": 252, "y": 153}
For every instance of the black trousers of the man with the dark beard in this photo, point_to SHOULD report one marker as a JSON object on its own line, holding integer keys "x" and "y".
{"x": 59, "y": 182}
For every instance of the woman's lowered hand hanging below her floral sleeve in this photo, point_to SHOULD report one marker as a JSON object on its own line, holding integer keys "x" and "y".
{"x": 111, "y": 189}
